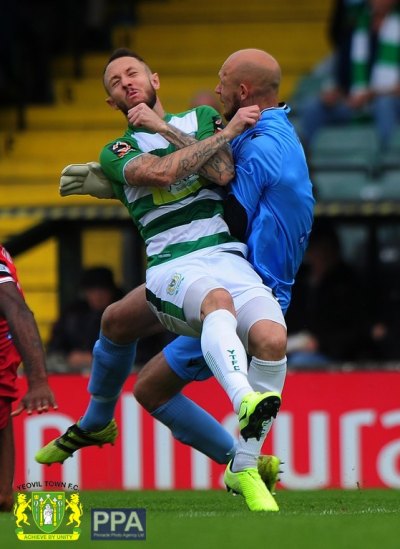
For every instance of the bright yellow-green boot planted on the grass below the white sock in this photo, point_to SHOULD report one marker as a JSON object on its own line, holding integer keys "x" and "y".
{"x": 250, "y": 485}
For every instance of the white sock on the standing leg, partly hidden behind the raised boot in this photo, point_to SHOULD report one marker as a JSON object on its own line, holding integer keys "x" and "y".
{"x": 264, "y": 376}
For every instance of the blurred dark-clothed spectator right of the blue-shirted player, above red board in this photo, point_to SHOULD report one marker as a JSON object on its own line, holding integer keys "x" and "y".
{"x": 326, "y": 320}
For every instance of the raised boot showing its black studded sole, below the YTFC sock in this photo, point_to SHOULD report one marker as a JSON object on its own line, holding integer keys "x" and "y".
{"x": 256, "y": 409}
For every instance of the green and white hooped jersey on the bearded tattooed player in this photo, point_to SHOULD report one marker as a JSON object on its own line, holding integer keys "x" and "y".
{"x": 179, "y": 219}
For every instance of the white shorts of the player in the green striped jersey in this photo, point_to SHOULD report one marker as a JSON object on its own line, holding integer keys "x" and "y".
{"x": 176, "y": 289}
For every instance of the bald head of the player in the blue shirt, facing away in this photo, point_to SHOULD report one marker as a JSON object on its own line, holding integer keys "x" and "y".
{"x": 257, "y": 70}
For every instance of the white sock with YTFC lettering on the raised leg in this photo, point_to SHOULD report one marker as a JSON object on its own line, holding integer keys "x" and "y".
{"x": 225, "y": 355}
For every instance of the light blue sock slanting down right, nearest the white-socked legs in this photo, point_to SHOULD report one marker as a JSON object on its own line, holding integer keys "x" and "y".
{"x": 194, "y": 426}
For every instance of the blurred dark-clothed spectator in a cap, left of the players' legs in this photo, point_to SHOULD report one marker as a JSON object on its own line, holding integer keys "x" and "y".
{"x": 77, "y": 329}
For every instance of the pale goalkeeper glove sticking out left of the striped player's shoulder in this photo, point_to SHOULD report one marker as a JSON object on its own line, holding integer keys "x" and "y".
{"x": 85, "y": 179}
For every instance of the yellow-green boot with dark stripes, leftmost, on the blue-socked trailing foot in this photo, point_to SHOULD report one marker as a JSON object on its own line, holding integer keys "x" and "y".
{"x": 75, "y": 438}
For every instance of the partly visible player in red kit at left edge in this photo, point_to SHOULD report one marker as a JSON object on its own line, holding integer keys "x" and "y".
{"x": 19, "y": 342}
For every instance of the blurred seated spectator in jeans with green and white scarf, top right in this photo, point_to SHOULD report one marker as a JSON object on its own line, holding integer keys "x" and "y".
{"x": 367, "y": 83}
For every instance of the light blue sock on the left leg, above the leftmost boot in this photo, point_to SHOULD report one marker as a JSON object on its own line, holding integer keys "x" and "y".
{"x": 111, "y": 366}
